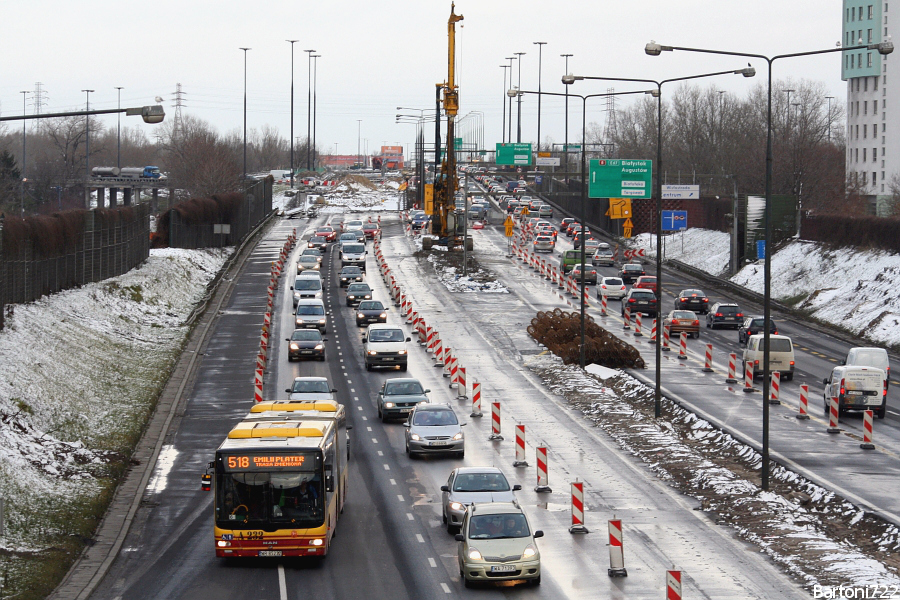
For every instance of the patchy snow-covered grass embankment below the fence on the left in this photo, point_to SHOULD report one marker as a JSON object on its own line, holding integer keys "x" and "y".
{"x": 81, "y": 372}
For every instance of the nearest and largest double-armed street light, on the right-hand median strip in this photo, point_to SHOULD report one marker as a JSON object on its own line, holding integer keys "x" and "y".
{"x": 654, "y": 49}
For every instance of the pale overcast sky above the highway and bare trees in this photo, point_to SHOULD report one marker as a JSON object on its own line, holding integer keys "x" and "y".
{"x": 376, "y": 56}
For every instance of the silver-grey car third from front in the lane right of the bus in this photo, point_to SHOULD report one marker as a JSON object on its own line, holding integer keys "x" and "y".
{"x": 434, "y": 429}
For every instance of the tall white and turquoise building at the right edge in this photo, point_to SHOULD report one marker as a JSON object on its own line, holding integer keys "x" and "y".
{"x": 872, "y": 158}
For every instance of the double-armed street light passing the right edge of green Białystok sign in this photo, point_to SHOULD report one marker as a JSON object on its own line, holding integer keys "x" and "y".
{"x": 569, "y": 79}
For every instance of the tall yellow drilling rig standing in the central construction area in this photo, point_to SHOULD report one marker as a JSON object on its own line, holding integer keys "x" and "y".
{"x": 444, "y": 218}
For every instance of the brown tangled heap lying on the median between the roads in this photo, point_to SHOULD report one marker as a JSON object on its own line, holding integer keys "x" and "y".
{"x": 560, "y": 332}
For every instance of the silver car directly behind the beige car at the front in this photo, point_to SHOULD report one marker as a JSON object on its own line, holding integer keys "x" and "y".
{"x": 473, "y": 484}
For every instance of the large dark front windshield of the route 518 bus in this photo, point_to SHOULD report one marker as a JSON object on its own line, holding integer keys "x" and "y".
{"x": 270, "y": 499}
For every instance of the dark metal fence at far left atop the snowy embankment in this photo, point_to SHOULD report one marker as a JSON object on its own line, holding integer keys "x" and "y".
{"x": 109, "y": 243}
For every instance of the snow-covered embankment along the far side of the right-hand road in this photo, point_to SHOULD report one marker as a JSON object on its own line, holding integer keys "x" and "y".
{"x": 849, "y": 288}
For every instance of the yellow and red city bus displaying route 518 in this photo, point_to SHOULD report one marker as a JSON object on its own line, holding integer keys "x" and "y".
{"x": 280, "y": 483}
